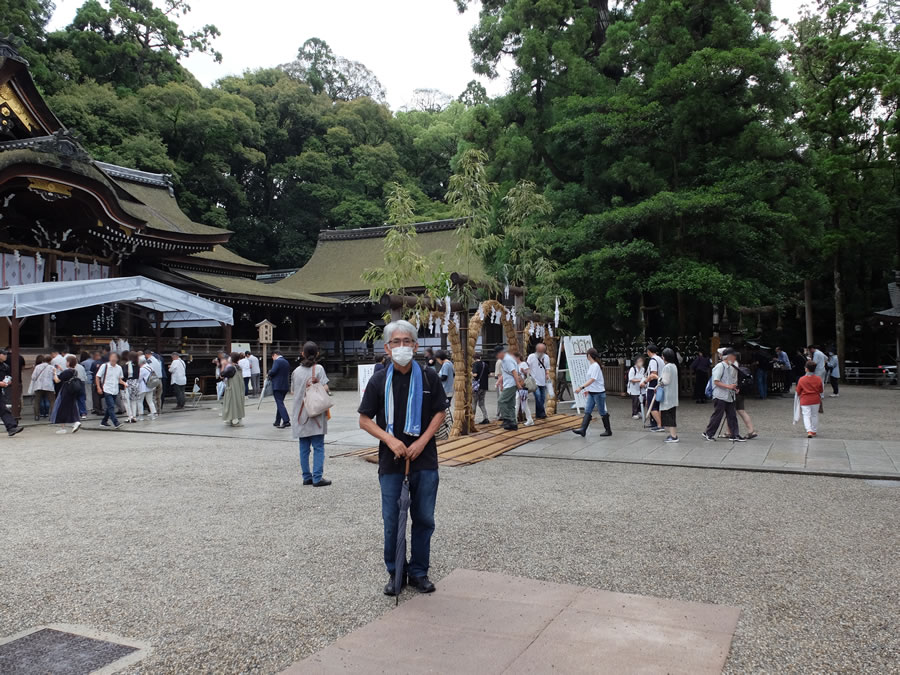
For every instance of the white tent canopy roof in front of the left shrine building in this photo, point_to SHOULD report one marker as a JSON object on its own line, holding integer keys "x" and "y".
{"x": 175, "y": 308}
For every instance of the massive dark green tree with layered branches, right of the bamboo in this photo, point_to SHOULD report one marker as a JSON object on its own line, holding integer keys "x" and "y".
{"x": 659, "y": 132}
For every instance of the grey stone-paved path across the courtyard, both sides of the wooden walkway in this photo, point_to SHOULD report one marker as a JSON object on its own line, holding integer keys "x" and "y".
{"x": 769, "y": 452}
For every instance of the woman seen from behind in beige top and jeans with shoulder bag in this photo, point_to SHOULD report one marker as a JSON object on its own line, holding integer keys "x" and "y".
{"x": 309, "y": 418}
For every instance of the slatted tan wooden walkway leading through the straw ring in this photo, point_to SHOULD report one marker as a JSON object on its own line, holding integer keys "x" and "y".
{"x": 490, "y": 441}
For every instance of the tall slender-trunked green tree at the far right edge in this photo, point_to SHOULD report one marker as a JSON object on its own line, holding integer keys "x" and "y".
{"x": 847, "y": 68}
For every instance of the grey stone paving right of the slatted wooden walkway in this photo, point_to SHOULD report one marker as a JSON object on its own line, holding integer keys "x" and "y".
{"x": 870, "y": 459}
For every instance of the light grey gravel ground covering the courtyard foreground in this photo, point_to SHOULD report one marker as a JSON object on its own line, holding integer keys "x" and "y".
{"x": 218, "y": 557}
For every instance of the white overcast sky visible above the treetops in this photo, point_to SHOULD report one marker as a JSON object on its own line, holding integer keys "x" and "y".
{"x": 408, "y": 44}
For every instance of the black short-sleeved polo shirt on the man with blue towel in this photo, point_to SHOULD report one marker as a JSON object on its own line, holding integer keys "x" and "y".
{"x": 433, "y": 402}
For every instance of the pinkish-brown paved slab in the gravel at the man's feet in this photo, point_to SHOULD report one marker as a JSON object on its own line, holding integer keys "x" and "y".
{"x": 488, "y": 623}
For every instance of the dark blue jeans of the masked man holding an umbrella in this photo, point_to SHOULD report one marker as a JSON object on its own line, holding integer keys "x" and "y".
{"x": 423, "y": 495}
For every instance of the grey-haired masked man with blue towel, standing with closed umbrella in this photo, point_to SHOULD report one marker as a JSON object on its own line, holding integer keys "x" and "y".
{"x": 402, "y": 407}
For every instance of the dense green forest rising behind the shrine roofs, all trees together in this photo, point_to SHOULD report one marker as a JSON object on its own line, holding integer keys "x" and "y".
{"x": 686, "y": 156}
